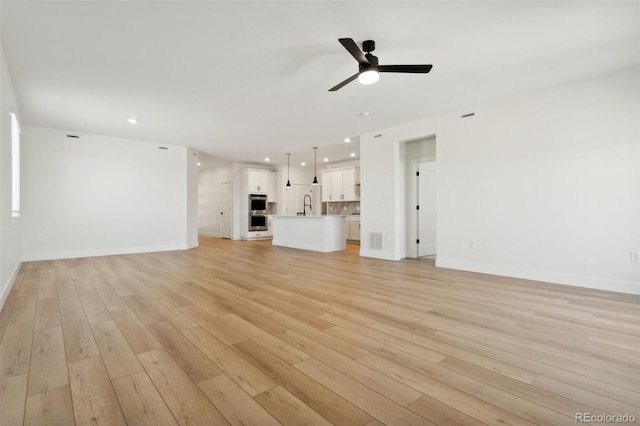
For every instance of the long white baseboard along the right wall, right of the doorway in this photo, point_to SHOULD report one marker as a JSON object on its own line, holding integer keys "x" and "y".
{"x": 629, "y": 287}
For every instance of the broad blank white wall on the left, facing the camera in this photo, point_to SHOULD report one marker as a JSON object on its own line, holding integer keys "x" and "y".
{"x": 100, "y": 195}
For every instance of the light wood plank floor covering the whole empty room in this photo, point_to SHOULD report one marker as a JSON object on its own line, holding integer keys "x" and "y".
{"x": 239, "y": 332}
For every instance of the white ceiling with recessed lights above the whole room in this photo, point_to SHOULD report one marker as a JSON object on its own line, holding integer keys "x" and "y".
{"x": 242, "y": 80}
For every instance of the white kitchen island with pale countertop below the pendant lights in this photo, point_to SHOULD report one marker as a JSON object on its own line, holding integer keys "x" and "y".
{"x": 317, "y": 233}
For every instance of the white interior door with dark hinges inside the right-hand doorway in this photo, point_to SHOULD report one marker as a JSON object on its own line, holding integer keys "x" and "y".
{"x": 427, "y": 210}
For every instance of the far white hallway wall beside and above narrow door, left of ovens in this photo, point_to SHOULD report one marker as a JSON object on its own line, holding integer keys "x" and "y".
{"x": 209, "y": 197}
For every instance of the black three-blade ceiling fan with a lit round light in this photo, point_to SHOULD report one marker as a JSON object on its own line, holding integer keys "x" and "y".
{"x": 368, "y": 64}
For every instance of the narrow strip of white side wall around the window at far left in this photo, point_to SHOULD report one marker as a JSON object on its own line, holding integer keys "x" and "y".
{"x": 10, "y": 229}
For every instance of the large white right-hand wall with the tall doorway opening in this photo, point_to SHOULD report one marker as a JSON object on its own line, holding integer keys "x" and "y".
{"x": 546, "y": 183}
